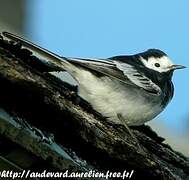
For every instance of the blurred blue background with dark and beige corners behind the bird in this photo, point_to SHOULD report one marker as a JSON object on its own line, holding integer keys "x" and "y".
{"x": 107, "y": 28}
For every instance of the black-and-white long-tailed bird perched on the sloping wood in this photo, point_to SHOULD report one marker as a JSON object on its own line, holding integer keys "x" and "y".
{"x": 138, "y": 86}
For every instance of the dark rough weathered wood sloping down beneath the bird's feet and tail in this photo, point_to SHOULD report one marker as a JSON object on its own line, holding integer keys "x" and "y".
{"x": 27, "y": 91}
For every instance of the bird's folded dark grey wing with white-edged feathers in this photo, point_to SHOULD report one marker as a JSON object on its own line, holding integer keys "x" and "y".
{"x": 120, "y": 70}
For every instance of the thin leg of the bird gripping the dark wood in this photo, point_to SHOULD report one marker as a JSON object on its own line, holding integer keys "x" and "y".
{"x": 120, "y": 117}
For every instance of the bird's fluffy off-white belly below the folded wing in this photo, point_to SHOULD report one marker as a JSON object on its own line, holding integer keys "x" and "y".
{"x": 110, "y": 98}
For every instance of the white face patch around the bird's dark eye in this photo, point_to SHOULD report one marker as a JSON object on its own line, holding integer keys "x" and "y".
{"x": 164, "y": 62}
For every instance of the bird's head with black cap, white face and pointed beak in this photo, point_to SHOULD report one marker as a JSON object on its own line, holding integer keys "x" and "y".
{"x": 157, "y": 60}
